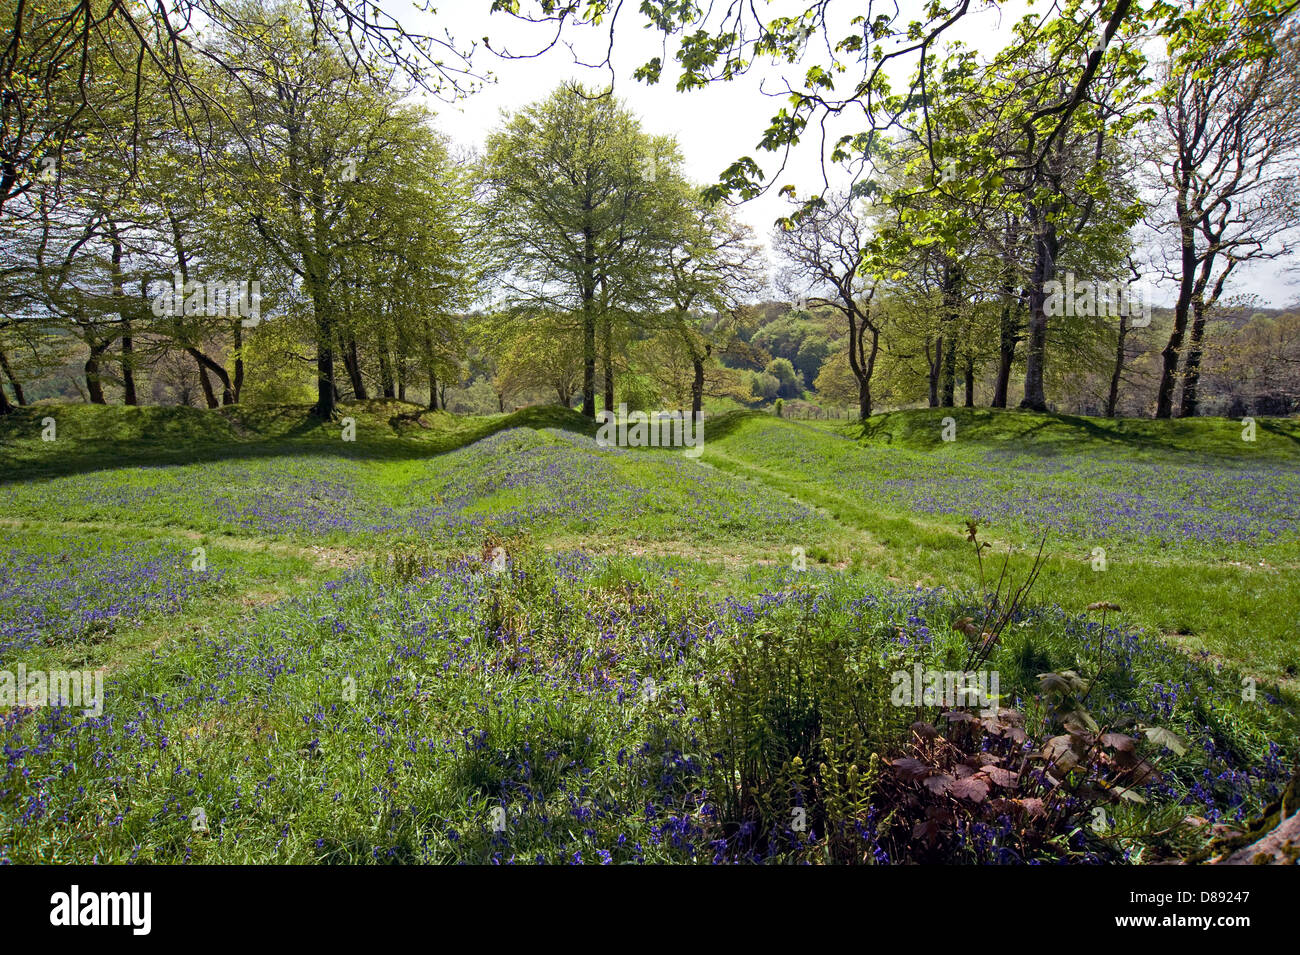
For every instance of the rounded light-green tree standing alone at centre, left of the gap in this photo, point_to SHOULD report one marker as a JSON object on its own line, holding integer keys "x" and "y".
{"x": 573, "y": 207}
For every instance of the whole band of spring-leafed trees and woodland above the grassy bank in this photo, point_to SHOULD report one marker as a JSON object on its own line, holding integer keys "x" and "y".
{"x": 268, "y": 215}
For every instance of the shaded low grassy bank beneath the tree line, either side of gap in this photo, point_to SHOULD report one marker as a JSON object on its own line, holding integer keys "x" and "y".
{"x": 98, "y": 437}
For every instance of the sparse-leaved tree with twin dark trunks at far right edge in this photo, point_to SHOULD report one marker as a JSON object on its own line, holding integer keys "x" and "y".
{"x": 1225, "y": 142}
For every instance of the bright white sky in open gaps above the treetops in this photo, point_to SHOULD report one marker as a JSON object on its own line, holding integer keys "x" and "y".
{"x": 714, "y": 127}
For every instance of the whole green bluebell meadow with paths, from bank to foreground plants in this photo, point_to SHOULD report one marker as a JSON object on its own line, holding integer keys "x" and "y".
{"x": 313, "y": 658}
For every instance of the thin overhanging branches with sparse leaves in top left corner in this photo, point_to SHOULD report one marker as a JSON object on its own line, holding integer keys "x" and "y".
{"x": 46, "y": 102}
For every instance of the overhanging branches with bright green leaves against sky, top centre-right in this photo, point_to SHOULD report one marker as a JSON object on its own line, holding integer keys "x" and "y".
{"x": 840, "y": 75}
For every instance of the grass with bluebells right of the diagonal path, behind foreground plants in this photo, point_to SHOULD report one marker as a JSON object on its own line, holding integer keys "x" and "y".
{"x": 1202, "y": 549}
